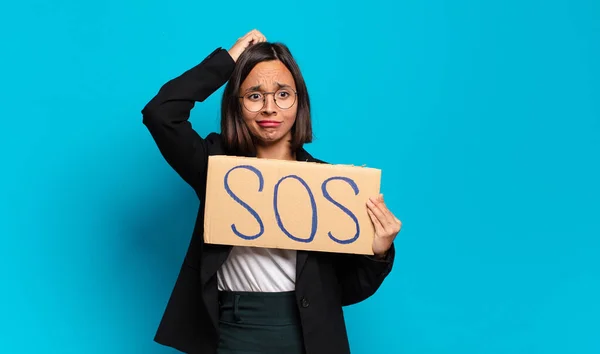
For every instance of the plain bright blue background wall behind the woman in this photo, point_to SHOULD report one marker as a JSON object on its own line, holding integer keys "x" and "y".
{"x": 484, "y": 117}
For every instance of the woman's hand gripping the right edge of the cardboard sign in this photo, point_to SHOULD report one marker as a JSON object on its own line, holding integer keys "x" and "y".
{"x": 387, "y": 226}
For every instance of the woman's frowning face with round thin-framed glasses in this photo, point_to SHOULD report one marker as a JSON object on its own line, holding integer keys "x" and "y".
{"x": 269, "y": 82}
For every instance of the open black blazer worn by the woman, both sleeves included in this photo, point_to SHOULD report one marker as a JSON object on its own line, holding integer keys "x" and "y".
{"x": 324, "y": 281}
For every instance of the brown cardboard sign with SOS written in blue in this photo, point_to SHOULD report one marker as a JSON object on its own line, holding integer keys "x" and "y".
{"x": 289, "y": 204}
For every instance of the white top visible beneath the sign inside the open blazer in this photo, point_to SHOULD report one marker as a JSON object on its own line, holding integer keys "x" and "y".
{"x": 257, "y": 269}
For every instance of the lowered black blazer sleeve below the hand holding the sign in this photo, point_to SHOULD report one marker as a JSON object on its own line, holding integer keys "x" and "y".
{"x": 360, "y": 276}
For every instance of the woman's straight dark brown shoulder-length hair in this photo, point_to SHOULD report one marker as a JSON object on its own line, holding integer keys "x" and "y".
{"x": 237, "y": 137}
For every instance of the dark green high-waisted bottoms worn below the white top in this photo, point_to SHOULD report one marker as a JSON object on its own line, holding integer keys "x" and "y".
{"x": 259, "y": 323}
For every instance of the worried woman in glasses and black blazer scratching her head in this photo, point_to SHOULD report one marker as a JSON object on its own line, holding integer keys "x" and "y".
{"x": 254, "y": 300}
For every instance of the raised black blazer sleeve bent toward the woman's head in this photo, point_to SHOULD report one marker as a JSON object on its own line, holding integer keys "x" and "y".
{"x": 167, "y": 116}
